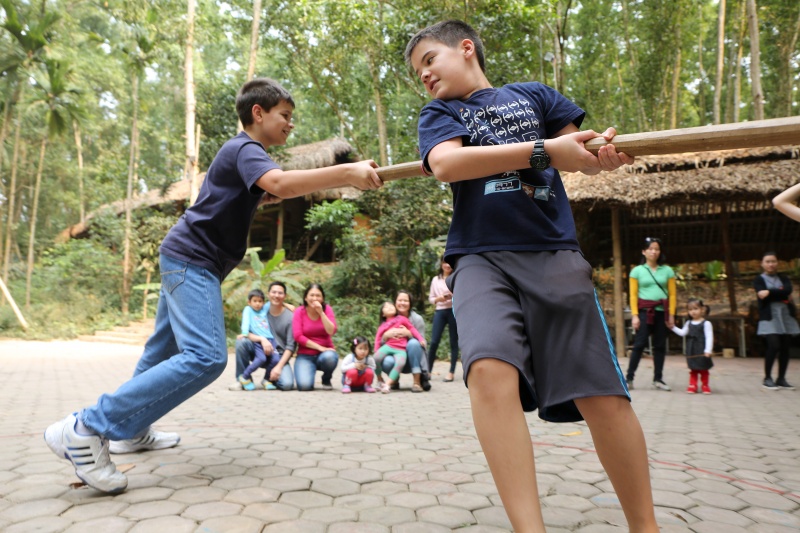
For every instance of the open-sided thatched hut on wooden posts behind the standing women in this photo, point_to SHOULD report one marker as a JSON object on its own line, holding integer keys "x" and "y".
{"x": 705, "y": 206}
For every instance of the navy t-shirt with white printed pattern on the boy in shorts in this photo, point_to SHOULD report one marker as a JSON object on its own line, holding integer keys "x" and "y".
{"x": 525, "y": 210}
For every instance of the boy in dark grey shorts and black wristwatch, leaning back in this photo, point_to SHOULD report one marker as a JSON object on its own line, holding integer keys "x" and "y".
{"x": 519, "y": 273}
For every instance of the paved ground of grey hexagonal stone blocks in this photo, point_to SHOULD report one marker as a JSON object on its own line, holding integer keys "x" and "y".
{"x": 325, "y": 462}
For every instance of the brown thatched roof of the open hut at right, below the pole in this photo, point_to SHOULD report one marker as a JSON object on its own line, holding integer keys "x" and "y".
{"x": 689, "y": 178}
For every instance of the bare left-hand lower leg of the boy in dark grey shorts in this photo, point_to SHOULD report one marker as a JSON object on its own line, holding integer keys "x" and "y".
{"x": 506, "y": 441}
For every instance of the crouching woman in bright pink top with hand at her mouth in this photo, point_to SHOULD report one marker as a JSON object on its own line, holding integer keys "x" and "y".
{"x": 313, "y": 326}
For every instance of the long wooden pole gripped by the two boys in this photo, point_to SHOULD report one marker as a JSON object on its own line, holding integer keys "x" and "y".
{"x": 753, "y": 134}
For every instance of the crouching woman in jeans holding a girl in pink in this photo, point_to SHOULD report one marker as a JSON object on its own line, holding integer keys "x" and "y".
{"x": 417, "y": 363}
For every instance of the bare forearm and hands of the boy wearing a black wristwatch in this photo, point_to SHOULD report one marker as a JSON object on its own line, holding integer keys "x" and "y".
{"x": 451, "y": 161}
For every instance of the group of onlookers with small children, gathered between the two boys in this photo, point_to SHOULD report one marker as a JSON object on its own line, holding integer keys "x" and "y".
{"x": 273, "y": 332}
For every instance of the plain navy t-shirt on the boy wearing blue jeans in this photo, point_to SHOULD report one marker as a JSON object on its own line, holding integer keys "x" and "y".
{"x": 213, "y": 232}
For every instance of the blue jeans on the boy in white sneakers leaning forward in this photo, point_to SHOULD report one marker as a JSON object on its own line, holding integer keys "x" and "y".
{"x": 185, "y": 353}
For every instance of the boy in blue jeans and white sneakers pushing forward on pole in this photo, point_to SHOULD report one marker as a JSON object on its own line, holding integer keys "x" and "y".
{"x": 187, "y": 350}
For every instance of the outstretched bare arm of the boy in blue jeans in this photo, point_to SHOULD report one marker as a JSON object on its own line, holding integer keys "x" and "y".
{"x": 294, "y": 183}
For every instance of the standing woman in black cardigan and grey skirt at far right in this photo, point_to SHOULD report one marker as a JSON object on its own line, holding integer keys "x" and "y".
{"x": 776, "y": 319}
